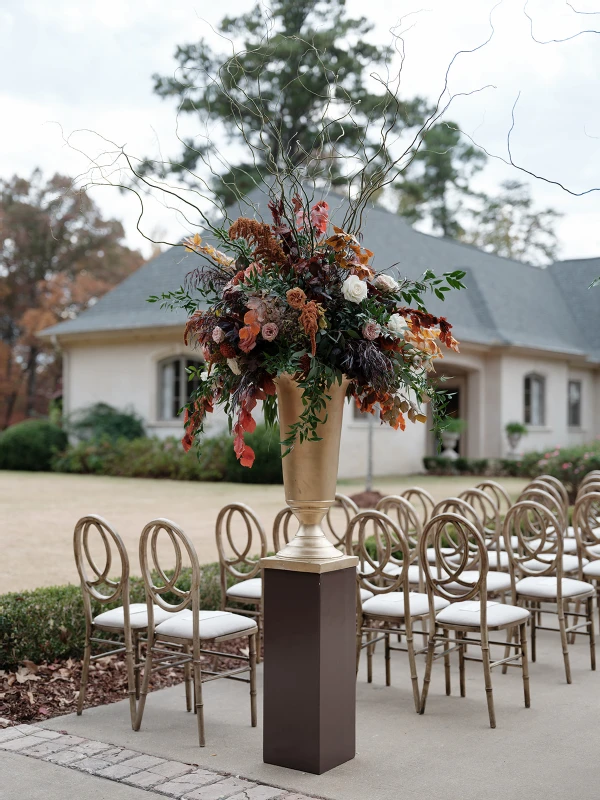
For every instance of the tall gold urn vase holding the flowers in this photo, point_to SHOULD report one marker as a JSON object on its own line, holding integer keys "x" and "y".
{"x": 310, "y": 471}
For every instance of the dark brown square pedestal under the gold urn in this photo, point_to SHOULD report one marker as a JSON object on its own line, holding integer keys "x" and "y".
{"x": 310, "y": 668}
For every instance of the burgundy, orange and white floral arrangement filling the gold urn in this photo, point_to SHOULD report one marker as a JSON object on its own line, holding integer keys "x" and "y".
{"x": 299, "y": 296}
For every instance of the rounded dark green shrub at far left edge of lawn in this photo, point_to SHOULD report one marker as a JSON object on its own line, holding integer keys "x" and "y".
{"x": 31, "y": 445}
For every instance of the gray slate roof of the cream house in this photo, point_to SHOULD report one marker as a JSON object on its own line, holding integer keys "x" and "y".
{"x": 506, "y": 302}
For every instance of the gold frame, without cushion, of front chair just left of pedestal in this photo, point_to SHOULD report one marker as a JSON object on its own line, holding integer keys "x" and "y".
{"x": 166, "y": 651}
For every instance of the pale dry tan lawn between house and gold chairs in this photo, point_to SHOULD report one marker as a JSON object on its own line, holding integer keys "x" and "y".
{"x": 38, "y": 512}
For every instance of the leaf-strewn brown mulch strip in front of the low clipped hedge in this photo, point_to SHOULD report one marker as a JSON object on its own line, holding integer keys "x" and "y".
{"x": 35, "y": 692}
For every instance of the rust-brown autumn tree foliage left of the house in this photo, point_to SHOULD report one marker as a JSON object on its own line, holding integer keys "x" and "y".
{"x": 58, "y": 255}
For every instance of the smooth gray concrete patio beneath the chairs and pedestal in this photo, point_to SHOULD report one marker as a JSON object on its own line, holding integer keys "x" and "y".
{"x": 550, "y": 750}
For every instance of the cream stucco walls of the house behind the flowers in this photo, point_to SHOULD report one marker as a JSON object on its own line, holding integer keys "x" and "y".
{"x": 123, "y": 370}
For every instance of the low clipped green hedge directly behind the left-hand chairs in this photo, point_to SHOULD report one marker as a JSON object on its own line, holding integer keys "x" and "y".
{"x": 48, "y": 623}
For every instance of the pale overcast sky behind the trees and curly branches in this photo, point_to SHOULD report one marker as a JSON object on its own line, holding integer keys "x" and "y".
{"x": 88, "y": 65}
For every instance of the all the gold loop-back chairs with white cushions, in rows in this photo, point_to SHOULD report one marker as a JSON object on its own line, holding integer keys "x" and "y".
{"x": 418, "y": 561}
